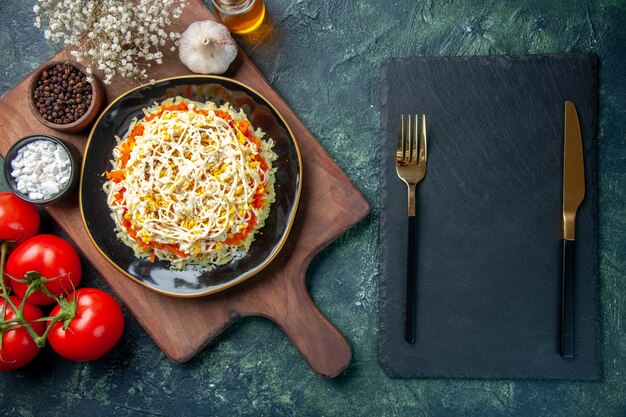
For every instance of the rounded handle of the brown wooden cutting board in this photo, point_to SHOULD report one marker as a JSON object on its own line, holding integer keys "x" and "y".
{"x": 322, "y": 346}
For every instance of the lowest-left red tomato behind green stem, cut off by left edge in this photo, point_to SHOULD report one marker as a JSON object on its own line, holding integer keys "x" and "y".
{"x": 18, "y": 347}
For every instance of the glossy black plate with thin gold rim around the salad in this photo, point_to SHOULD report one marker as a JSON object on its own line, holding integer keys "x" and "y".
{"x": 193, "y": 281}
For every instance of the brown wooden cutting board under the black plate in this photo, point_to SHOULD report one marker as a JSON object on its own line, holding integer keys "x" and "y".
{"x": 329, "y": 205}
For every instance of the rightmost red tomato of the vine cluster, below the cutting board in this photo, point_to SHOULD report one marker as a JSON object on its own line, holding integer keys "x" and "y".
{"x": 95, "y": 329}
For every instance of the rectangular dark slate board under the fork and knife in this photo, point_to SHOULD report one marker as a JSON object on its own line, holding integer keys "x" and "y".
{"x": 489, "y": 218}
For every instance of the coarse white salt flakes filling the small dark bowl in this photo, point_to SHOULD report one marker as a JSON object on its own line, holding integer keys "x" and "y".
{"x": 41, "y": 169}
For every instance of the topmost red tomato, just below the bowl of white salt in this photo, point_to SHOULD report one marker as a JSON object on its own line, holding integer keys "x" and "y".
{"x": 19, "y": 220}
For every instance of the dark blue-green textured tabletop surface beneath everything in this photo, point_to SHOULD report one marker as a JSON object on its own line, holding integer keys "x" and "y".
{"x": 324, "y": 58}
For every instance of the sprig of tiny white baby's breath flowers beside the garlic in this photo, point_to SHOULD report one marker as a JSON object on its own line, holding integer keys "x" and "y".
{"x": 115, "y": 36}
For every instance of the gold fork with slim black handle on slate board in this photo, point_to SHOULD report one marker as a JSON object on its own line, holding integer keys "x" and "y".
{"x": 411, "y": 159}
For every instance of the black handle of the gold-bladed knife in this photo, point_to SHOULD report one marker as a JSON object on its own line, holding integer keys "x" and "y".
{"x": 567, "y": 300}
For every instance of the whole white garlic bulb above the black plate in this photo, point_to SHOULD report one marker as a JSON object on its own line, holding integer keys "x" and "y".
{"x": 206, "y": 47}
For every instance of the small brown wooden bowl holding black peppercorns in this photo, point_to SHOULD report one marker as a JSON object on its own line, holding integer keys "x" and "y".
{"x": 97, "y": 100}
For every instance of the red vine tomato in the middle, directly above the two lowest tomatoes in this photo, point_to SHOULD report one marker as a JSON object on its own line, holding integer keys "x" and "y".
{"x": 51, "y": 257}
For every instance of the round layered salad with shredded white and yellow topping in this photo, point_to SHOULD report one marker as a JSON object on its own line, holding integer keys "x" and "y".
{"x": 191, "y": 183}
